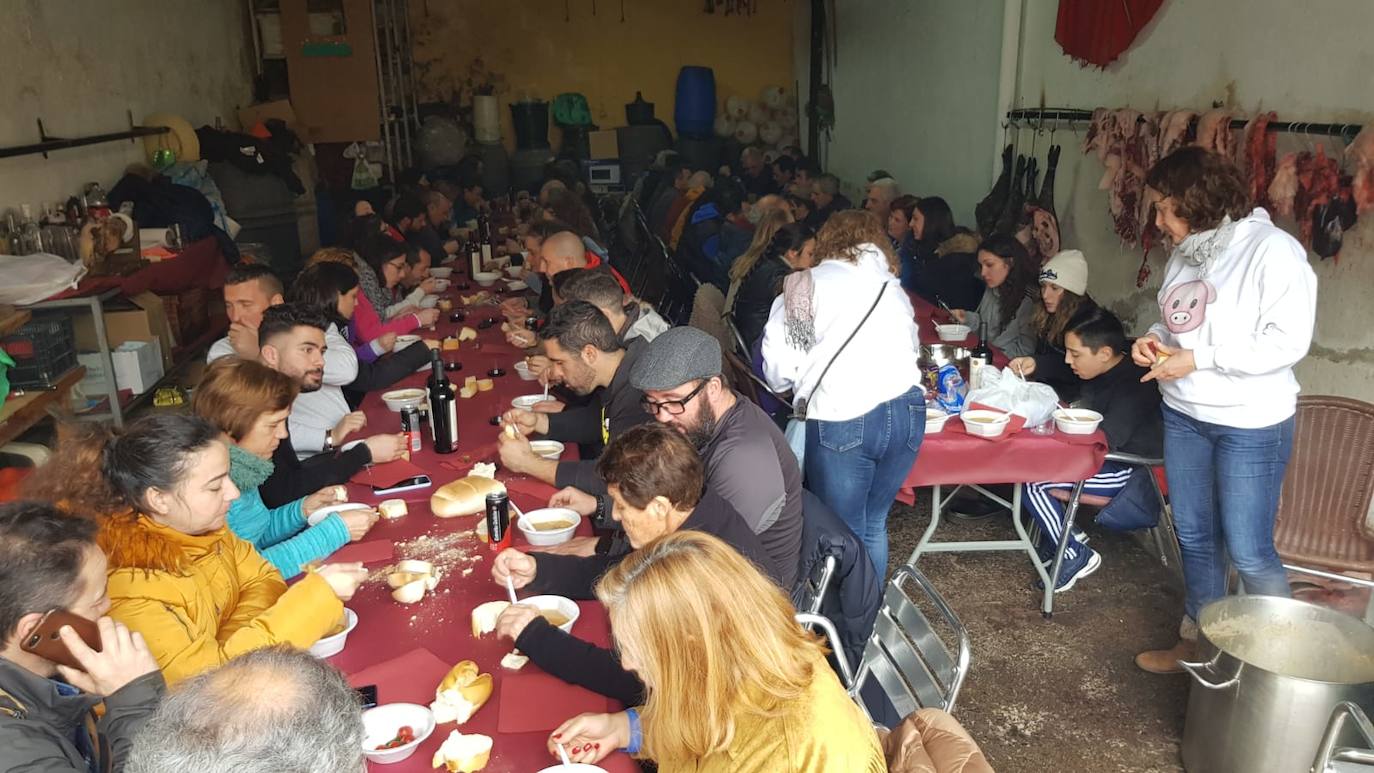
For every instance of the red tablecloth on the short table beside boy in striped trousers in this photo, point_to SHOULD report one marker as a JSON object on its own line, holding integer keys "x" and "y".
{"x": 953, "y": 457}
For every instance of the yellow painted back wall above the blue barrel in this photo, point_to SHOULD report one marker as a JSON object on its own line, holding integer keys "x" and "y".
{"x": 543, "y": 56}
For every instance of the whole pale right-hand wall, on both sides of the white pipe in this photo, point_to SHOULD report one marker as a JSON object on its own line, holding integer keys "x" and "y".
{"x": 1309, "y": 62}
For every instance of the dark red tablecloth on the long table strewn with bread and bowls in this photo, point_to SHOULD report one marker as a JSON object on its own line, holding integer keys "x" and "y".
{"x": 442, "y": 621}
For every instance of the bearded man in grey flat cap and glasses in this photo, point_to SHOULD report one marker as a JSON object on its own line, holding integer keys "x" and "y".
{"x": 748, "y": 461}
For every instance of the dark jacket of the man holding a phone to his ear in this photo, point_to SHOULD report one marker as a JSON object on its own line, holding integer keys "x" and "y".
{"x": 39, "y": 726}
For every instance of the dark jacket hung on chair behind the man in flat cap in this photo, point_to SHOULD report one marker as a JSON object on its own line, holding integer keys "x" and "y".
{"x": 855, "y": 592}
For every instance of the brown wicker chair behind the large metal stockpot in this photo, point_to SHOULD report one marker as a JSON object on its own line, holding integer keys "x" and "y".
{"x": 1324, "y": 514}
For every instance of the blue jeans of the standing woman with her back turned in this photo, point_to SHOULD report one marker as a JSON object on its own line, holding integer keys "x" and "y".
{"x": 858, "y": 466}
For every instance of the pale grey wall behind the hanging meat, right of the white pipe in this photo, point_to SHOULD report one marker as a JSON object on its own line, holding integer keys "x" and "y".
{"x": 1309, "y": 62}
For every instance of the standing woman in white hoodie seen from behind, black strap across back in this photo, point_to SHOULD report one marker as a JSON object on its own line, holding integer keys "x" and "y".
{"x": 843, "y": 338}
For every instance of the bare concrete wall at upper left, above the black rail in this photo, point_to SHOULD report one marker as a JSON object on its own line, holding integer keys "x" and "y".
{"x": 80, "y": 67}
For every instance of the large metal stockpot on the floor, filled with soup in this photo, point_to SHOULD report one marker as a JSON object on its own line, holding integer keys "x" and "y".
{"x": 1272, "y": 672}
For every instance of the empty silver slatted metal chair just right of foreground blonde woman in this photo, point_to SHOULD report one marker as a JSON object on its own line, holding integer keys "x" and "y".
{"x": 916, "y": 668}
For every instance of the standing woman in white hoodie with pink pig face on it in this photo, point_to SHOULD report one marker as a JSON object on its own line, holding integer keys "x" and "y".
{"x": 1237, "y": 311}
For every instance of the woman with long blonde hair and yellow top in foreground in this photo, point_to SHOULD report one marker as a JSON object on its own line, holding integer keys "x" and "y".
{"x": 733, "y": 682}
